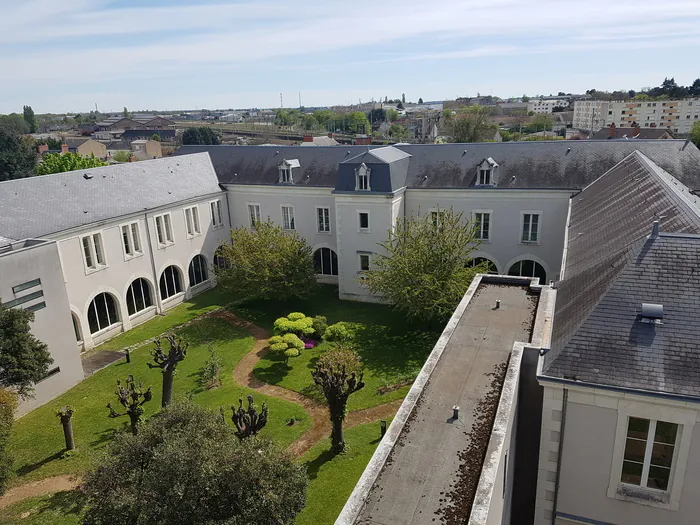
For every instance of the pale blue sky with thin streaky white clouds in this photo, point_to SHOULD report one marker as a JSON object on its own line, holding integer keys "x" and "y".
{"x": 68, "y": 55}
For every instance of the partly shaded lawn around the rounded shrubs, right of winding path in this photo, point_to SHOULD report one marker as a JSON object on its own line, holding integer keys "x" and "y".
{"x": 392, "y": 349}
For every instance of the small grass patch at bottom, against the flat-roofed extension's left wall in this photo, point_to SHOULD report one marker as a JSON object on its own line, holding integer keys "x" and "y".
{"x": 332, "y": 477}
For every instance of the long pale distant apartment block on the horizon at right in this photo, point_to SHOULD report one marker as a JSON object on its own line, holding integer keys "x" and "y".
{"x": 675, "y": 115}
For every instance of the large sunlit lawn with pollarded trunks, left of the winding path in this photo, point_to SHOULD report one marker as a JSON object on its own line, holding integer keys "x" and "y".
{"x": 37, "y": 438}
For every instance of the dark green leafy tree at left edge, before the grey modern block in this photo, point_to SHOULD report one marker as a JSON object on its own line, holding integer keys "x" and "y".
{"x": 24, "y": 360}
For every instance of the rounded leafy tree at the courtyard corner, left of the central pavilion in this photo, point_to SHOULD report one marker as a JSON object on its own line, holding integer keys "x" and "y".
{"x": 266, "y": 263}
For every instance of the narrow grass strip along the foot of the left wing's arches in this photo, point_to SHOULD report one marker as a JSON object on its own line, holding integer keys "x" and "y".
{"x": 201, "y": 304}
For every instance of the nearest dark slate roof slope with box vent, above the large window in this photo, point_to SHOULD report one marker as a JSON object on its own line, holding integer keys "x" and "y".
{"x": 614, "y": 347}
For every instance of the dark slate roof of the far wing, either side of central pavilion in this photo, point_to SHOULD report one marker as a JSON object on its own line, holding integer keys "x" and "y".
{"x": 562, "y": 164}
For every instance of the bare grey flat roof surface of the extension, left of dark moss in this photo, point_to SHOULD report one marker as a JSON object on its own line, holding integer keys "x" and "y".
{"x": 422, "y": 475}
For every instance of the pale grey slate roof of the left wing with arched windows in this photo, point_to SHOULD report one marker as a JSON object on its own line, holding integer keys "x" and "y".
{"x": 39, "y": 206}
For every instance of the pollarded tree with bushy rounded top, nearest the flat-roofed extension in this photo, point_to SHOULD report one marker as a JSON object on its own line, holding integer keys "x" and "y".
{"x": 339, "y": 374}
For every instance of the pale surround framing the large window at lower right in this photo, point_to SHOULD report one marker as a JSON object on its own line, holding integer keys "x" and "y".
{"x": 685, "y": 419}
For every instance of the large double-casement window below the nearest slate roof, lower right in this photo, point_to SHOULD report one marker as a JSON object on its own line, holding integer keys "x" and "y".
{"x": 649, "y": 453}
